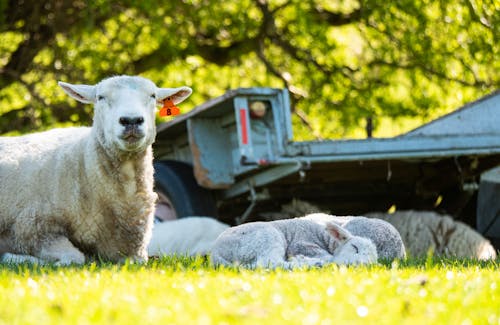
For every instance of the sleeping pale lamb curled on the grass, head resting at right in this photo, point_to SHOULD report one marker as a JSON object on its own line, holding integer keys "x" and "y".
{"x": 290, "y": 243}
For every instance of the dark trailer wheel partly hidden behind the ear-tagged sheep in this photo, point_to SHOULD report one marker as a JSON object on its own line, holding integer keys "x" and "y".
{"x": 179, "y": 195}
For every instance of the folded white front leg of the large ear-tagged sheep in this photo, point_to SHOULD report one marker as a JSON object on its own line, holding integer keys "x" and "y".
{"x": 61, "y": 251}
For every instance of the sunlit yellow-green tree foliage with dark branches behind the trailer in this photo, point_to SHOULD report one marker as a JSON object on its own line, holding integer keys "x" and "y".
{"x": 342, "y": 61}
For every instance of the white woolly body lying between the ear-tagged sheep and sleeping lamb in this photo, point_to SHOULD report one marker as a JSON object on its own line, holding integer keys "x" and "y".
{"x": 186, "y": 236}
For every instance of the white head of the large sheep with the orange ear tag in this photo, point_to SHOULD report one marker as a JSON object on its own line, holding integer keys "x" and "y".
{"x": 124, "y": 109}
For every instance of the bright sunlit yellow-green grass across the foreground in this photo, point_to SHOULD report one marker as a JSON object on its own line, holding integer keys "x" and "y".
{"x": 189, "y": 291}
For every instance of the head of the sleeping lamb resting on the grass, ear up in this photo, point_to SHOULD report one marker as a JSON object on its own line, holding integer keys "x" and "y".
{"x": 351, "y": 249}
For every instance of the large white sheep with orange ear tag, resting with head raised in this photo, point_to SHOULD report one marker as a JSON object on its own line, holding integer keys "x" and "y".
{"x": 67, "y": 194}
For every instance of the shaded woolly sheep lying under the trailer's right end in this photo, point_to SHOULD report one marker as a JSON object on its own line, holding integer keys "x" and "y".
{"x": 426, "y": 230}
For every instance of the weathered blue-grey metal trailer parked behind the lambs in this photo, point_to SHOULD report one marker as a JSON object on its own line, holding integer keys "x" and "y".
{"x": 234, "y": 156}
